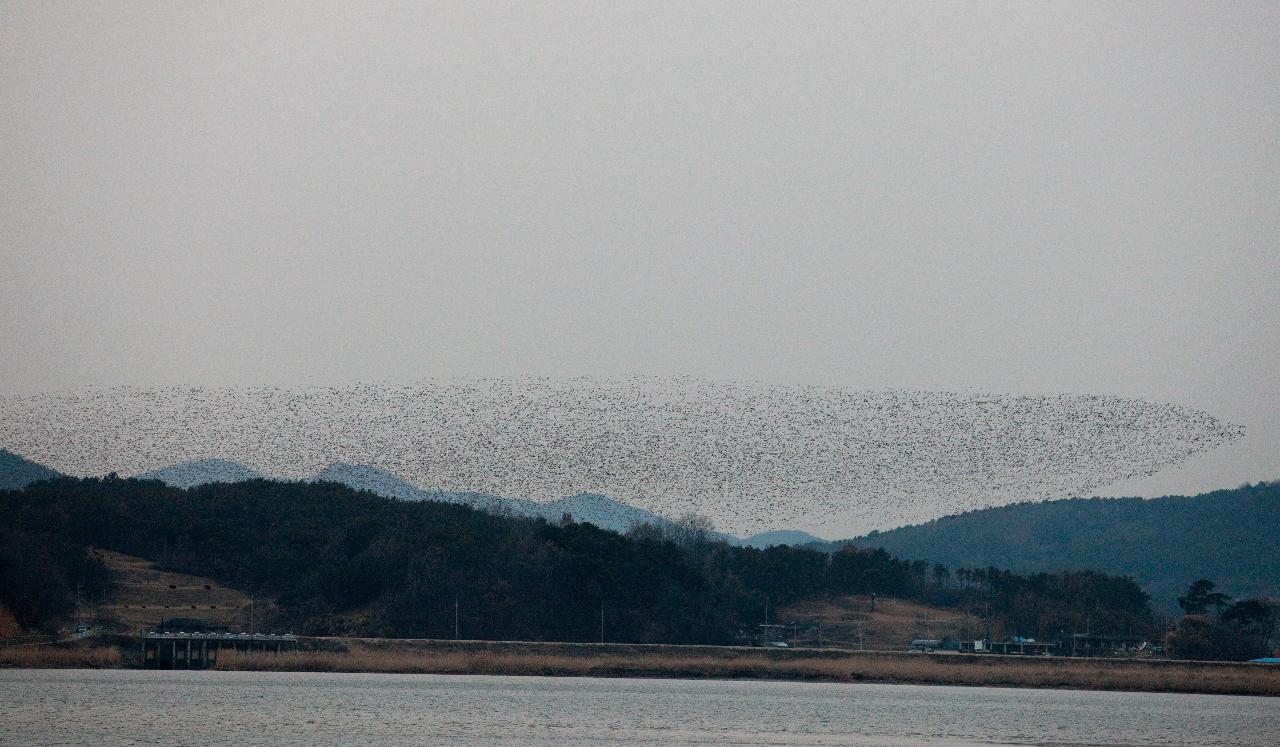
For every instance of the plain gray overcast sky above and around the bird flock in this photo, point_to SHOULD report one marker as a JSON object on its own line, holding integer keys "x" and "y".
{"x": 1016, "y": 199}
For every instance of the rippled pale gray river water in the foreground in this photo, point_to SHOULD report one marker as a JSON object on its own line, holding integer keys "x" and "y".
{"x": 104, "y": 708}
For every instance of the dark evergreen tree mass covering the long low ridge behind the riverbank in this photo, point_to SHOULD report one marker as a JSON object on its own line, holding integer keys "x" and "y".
{"x": 342, "y": 562}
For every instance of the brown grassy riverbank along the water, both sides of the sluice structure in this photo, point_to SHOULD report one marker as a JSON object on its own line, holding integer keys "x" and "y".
{"x": 513, "y": 658}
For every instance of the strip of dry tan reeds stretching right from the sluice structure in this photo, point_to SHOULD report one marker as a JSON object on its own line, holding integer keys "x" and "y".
{"x": 900, "y": 668}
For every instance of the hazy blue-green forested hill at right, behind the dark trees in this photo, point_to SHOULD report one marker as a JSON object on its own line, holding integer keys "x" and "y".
{"x": 1229, "y": 537}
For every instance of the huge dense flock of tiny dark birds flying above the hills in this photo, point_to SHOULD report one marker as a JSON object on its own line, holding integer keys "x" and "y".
{"x": 748, "y": 456}
